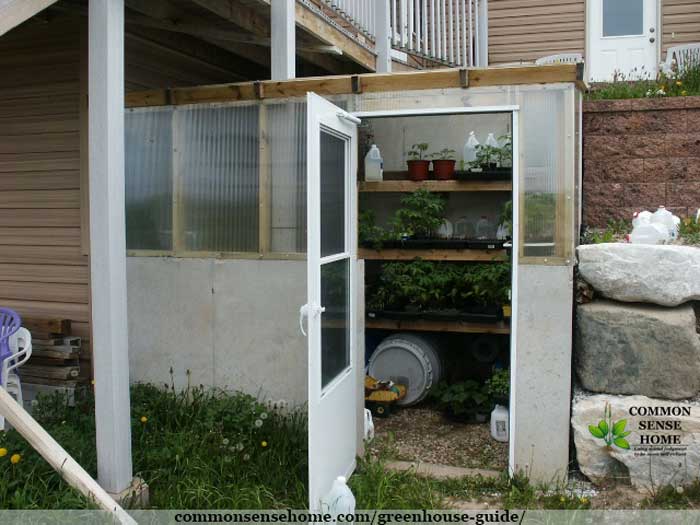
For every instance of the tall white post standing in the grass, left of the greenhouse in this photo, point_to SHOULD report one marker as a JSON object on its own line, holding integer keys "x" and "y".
{"x": 108, "y": 243}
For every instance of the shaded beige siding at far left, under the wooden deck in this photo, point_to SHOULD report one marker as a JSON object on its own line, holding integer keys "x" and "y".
{"x": 42, "y": 270}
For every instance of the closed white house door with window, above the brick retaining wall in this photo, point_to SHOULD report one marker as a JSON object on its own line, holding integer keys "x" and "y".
{"x": 622, "y": 37}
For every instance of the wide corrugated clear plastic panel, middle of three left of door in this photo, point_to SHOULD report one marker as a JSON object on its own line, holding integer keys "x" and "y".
{"x": 217, "y": 174}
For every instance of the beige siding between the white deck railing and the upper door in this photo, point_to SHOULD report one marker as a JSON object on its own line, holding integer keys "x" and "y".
{"x": 524, "y": 30}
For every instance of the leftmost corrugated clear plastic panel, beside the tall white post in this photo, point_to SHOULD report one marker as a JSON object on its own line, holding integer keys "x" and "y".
{"x": 148, "y": 143}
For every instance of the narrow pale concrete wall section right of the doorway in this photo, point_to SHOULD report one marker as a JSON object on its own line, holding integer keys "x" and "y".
{"x": 542, "y": 394}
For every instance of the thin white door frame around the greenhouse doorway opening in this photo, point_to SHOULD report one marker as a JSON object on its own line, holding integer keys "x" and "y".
{"x": 514, "y": 111}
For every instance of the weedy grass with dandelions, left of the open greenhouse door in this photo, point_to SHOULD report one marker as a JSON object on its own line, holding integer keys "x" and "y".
{"x": 196, "y": 449}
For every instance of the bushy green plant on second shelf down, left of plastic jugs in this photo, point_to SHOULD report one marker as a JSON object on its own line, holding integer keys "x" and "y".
{"x": 421, "y": 213}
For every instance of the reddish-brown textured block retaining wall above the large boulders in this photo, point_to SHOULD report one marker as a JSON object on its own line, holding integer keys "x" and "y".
{"x": 639, "y": 154}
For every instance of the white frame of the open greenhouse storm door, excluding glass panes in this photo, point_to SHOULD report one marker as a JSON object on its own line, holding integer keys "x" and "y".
{"x": 330, "y": 455}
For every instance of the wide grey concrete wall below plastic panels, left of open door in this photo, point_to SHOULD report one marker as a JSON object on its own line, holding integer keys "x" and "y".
{"x": 232, "y": 323}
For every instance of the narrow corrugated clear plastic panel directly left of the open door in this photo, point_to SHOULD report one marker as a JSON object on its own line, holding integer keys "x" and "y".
{"x": 286, "y": 135}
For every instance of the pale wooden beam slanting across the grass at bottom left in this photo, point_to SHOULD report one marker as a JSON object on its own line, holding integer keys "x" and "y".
{"x": 58, "y": 458}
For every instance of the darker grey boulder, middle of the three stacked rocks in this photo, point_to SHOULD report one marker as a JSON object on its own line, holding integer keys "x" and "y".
{"x": 638, "y": 349}
